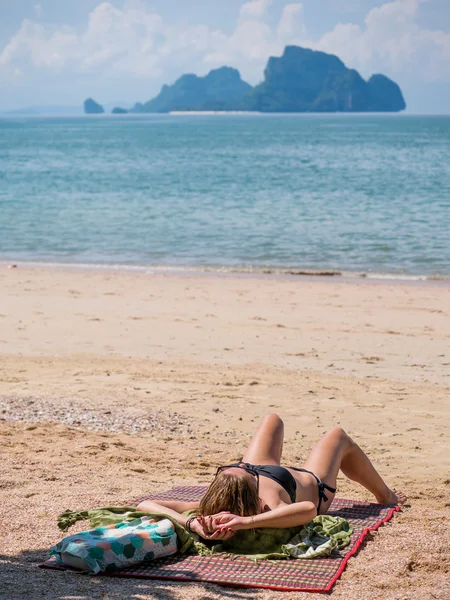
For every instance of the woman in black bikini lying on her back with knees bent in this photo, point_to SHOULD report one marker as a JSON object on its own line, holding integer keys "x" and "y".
{"x": 258, "y": 492}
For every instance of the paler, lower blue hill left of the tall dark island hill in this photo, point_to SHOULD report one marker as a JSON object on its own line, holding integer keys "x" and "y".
{"x": 221, "y": 89}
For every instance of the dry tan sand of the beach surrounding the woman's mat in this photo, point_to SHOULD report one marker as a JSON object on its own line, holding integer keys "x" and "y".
{"x": 116, "y": 384}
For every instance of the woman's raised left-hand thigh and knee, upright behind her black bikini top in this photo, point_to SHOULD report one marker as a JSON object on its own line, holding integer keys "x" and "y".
{"x": 266, "y": 445}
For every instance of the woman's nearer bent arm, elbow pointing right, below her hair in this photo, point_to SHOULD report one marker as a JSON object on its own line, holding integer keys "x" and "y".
{"x": 289, "y": 515}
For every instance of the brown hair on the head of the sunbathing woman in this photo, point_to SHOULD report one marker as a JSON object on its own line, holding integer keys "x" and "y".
{"x": 239, "y": 495}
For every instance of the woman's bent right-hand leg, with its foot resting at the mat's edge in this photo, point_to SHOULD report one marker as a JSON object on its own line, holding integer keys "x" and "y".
{"x": 337, "y": 451}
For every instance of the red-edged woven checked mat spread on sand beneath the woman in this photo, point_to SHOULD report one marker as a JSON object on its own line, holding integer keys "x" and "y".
{"x": 317, "y": 575}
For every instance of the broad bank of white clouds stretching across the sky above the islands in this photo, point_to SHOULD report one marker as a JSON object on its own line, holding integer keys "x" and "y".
{"x": 135, "y": 43}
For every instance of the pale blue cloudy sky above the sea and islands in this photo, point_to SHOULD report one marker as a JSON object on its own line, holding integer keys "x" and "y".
{"x": 59, "y": 52}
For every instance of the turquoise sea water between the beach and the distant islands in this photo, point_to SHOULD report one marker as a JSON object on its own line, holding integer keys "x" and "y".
{"x": 358, "y": 193}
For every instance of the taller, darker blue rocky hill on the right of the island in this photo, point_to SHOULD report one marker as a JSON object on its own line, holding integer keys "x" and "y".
{"x": 304, "y": 80}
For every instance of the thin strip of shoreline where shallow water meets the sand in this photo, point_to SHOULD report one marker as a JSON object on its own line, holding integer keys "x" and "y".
{"x": 271, "y": 273}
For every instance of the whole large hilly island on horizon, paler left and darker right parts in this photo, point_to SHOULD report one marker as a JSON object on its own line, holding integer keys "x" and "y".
{"x": 301, "y": 80}
